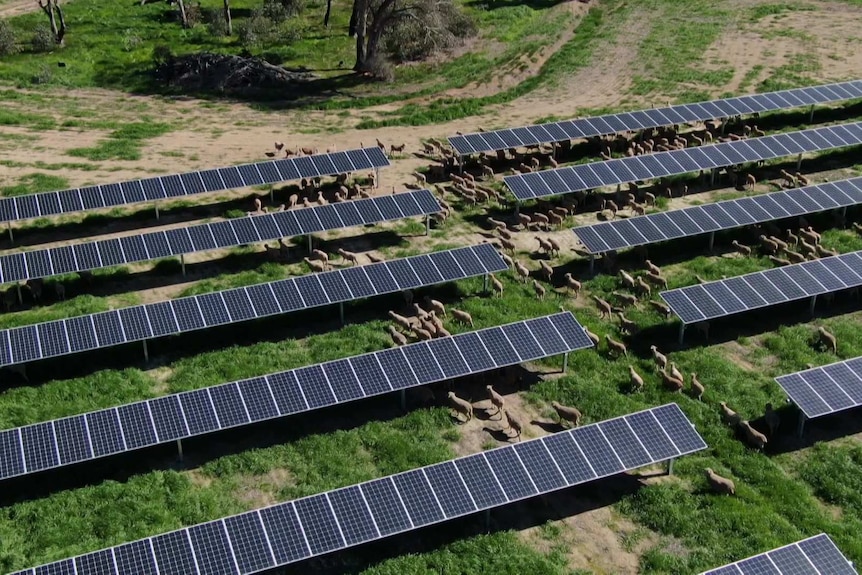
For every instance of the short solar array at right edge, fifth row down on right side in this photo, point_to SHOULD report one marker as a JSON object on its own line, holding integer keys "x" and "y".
{"x": 827, "y": 389}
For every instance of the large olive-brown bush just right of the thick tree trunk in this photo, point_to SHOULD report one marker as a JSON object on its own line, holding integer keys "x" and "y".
{"x": 441, "y": 27}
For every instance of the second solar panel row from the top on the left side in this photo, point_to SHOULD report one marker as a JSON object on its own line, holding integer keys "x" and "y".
{"x": 227, "y": 233}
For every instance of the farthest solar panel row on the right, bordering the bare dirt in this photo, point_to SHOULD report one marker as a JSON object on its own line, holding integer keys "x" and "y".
{"x": 654, "y": 118}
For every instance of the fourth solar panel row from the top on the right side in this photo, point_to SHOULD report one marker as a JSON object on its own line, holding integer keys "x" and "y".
{"x": 761, "y": 289}
